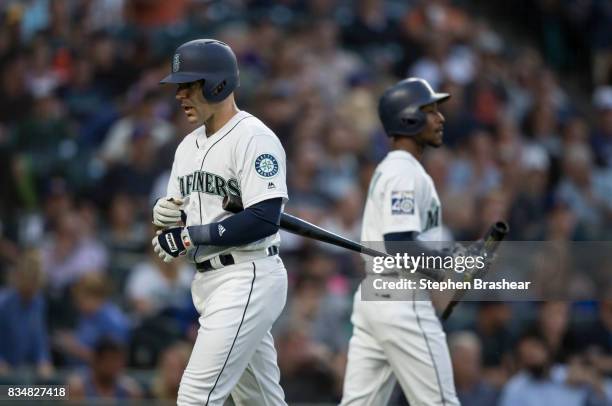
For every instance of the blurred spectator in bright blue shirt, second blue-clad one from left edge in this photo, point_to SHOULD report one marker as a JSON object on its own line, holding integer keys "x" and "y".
{"x": 99, "y": 318}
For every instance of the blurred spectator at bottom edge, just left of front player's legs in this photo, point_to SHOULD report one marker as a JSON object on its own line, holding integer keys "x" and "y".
{"x": 170, "y": 369}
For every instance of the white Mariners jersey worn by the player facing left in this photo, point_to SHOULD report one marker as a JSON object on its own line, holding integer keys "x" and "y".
{"x": 244, "y": 158}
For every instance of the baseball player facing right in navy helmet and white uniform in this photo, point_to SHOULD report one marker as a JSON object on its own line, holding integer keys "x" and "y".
{"x": 401, "y": 340}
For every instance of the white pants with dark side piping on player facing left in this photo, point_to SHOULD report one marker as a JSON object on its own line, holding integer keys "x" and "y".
{"x": 234, "y": 351}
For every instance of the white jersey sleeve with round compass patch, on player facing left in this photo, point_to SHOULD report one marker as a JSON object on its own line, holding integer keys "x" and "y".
{"x": 262, "y": 169}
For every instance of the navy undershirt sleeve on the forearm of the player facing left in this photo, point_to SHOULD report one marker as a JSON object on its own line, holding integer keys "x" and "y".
{"x": 253, "y": 223}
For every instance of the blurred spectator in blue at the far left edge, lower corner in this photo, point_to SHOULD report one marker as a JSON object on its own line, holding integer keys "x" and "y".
{"x": 24, "y": 341}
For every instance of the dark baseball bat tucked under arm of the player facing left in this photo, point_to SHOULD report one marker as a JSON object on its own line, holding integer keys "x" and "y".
{"x": 301, "y": 227}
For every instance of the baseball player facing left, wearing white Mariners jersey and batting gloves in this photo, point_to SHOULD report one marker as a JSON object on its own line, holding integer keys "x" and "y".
{"x": 241, "y": 284}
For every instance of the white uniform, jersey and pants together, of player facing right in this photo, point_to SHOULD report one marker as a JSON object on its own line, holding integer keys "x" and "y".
{"x": 399, "y": 340}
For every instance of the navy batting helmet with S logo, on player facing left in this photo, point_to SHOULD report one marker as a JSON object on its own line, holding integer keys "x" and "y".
{"x": 209, "y": 60}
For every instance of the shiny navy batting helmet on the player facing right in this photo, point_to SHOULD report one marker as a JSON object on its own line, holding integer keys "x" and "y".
{"x": 400, "y": 105}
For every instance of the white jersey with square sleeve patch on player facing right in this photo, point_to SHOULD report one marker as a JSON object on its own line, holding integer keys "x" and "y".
{"x": 401, "y": 198}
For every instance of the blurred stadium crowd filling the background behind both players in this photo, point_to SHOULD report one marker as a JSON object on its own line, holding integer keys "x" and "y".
{"x": 87, "y": 138}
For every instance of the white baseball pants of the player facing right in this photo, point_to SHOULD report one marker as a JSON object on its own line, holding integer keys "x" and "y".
{"x": 397, "y": 340}
